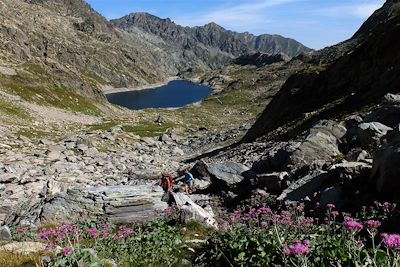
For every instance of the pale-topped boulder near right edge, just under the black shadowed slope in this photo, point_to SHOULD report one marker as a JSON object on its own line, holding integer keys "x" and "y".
{"x": 370, "y": 133}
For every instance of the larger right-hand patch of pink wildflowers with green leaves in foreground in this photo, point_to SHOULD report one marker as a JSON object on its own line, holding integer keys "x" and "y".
{"x": 264, "y": 237}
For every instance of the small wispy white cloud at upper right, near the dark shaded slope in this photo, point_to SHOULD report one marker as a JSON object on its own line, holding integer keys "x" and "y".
{"x": 361, "y": 10}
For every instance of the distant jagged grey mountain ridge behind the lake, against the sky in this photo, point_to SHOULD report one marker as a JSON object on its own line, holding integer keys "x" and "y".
{"x": 209, "y": 45}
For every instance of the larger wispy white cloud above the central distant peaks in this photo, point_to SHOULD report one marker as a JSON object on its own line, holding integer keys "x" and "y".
{"x": 239, "y": 17}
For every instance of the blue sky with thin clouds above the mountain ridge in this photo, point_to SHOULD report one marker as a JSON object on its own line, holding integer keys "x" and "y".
{"x": 315, "y": 23}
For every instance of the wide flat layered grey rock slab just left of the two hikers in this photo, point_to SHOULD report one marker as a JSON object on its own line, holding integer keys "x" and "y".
{"x": 119, "y": 204}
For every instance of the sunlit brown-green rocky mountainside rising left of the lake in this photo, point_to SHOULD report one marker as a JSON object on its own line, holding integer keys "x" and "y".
{"x": 73, "y": 45}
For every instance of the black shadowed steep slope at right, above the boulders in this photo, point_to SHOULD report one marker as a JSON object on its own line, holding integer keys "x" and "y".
{"x": 356, "y": 80}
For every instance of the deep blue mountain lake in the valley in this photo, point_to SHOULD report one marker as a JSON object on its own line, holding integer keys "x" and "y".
{"x": 175, "y": 94}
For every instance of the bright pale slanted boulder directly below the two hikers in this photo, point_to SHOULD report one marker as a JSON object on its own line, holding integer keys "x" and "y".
{"x": 190, "y": 211}
